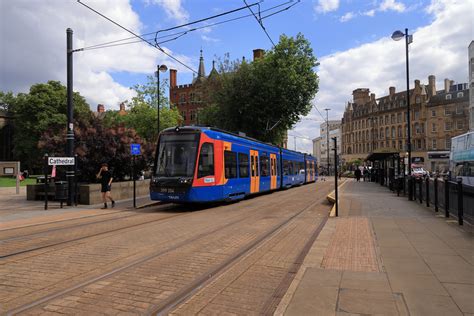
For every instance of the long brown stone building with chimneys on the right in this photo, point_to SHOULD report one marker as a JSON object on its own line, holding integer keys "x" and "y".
{"x": 380, "y": 125}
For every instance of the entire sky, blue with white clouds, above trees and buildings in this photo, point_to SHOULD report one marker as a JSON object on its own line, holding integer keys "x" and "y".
{"x": 351, "y": 39}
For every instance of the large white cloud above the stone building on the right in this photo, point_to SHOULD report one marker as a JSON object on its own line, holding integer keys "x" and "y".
{"x": 439, "y": 49}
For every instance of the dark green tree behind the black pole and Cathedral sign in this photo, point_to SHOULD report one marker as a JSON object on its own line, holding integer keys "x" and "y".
{"x": 43, "y": 108}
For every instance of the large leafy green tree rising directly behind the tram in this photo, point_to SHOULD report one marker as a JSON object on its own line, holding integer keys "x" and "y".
{"x": 265, "y": 98}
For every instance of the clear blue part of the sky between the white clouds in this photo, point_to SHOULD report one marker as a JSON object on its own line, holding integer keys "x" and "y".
{"x": 326, "y": 31}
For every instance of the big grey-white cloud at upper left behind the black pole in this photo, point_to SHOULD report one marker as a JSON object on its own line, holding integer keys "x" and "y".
{"x": 36, "y": 50}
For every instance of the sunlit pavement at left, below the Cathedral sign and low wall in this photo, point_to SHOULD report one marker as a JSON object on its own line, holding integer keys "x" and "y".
{"x": 17, "y": 211}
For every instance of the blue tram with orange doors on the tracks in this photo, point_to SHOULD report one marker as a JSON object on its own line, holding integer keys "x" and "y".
{"x": 203, "y": 164}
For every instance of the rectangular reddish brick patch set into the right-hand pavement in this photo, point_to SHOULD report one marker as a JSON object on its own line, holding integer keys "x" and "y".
{"x": 352, "y": 246}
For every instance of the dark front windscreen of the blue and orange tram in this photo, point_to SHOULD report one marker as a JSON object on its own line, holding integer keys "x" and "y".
{"x": 177, "y": 155}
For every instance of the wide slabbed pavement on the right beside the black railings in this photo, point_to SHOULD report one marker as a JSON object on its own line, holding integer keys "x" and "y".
{"x": 385, "y": 255}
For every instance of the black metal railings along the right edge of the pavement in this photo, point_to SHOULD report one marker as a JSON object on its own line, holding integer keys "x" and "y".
{"x": 453, "y": 198}
